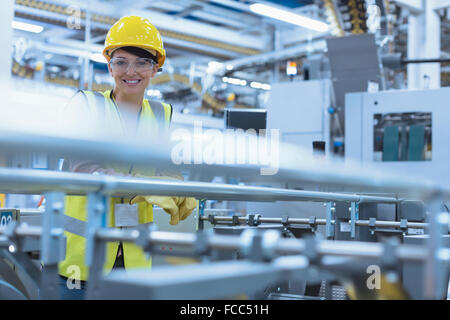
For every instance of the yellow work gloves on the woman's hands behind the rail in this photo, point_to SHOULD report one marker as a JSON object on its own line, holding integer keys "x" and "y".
{"x": 179, "y": 208}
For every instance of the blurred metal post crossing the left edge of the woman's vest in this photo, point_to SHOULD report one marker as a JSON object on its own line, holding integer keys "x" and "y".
{"x": 53, "y": 244}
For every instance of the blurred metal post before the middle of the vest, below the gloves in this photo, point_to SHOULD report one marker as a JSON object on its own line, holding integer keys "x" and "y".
{"x": 95, "y": 249}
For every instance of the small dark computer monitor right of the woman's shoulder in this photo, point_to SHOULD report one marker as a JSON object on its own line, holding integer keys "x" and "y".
{"x": 246, "y": 119}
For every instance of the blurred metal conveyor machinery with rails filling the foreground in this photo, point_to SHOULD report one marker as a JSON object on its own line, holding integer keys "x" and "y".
{"x": 250, "y": 256}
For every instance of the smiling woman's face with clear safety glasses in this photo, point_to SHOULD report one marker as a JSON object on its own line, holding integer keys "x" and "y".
{"x": 131, "y": 80}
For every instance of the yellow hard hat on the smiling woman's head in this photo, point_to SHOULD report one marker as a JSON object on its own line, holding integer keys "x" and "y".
{"x": 134, "y": 31}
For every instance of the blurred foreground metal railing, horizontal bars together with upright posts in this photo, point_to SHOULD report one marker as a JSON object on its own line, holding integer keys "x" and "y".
{"x": 295, "y": 166}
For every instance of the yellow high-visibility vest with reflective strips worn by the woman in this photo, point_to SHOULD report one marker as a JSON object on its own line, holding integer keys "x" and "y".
{"x": 153, "y": 114}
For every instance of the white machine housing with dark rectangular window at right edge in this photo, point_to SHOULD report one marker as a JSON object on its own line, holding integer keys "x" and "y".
{"x": 360, "y": 109}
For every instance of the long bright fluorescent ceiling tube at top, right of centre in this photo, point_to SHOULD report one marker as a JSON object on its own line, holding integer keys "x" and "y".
{"x": 289, "y": 17}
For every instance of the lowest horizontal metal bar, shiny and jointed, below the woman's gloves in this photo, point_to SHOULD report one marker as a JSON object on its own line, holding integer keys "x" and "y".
{"x": 274, "y": 246}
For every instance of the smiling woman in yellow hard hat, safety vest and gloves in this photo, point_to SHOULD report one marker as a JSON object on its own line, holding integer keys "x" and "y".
{"x": 134, "y": 51}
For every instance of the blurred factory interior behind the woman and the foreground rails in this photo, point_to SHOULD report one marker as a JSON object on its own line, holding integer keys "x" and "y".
{"x": 361, "y": 80}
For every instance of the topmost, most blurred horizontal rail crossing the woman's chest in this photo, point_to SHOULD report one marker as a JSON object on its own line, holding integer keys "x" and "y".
{"x": 294, "y": 166}
